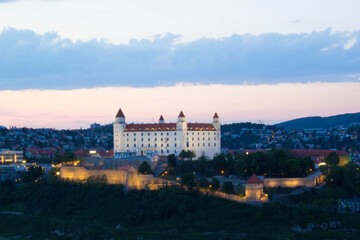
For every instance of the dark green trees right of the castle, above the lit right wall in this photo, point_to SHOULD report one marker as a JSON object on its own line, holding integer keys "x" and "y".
{"x": 274, "y": 163}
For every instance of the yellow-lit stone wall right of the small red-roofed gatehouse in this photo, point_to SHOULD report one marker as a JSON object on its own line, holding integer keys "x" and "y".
{"x": 310, "y": 181}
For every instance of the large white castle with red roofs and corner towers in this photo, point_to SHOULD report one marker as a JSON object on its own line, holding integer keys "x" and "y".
{"x": 167, "y": 138}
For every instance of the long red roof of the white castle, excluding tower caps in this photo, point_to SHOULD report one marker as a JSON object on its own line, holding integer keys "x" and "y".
{"x": 148, "y": 127}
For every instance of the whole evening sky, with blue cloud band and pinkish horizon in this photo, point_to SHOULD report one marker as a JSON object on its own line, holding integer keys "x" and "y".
{"x": 69, "y": 63}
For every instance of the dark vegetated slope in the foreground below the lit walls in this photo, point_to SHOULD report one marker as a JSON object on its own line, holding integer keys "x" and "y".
{"x": 56, "y": 209}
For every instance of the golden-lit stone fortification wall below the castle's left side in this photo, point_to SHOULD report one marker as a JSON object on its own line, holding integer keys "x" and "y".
{"x": 130, "y": 179}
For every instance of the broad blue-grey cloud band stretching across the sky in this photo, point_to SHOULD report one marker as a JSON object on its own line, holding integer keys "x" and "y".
{"x": 48, "y": 61}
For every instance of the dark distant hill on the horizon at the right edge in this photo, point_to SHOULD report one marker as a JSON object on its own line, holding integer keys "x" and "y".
{"x": 321, "y": 122}
